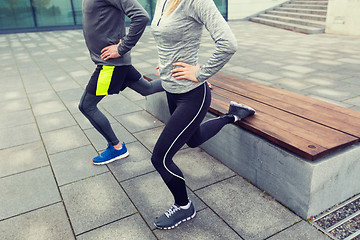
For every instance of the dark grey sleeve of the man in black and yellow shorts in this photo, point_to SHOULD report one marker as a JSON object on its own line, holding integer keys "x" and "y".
{"x": 138, "y": 21}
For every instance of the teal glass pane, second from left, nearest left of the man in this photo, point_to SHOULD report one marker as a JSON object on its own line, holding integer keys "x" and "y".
{"x": 53, "y": 12}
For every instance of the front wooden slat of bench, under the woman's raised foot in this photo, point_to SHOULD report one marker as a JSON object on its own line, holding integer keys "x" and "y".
{"x": 285, "y": 129}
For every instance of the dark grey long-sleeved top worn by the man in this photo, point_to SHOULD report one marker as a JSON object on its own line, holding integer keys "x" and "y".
{"x": 104, "y": 25}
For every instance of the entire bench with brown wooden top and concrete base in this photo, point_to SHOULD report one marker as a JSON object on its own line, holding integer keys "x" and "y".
{"x": 314, "y": 148}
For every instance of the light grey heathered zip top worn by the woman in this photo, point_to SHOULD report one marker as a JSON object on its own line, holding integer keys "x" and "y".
{"x": 178, "y": 37}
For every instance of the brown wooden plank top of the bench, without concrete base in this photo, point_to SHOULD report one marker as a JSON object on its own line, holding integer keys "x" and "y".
{"x": 306, "y": 126}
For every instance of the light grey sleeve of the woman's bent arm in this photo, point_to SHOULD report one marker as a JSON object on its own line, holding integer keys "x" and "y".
{"x": 205, "y": 12}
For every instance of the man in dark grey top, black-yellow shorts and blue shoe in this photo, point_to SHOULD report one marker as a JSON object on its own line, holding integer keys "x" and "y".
{"x": 109, "y": 46}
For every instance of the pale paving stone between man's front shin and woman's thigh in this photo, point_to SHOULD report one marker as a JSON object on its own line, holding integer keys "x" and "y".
{"x": 138, "y": 121}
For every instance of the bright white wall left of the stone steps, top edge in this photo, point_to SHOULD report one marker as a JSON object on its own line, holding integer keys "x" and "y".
{"x": 240, "y": 9}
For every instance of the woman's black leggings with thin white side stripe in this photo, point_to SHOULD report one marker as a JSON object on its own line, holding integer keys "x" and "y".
{"x": 184, "y": 126}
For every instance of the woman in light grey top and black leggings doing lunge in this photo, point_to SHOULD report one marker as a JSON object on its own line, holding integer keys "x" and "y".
{"x": 177, "y": 27}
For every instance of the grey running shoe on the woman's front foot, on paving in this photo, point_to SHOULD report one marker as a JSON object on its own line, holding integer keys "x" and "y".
{"x": 174, "y": 216}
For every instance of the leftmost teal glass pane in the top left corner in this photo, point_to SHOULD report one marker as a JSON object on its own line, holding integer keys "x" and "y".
{"x": 15, "y": 14}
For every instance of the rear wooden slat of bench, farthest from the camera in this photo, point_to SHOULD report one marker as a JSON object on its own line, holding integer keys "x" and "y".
{"x": 336, "y": 117}
